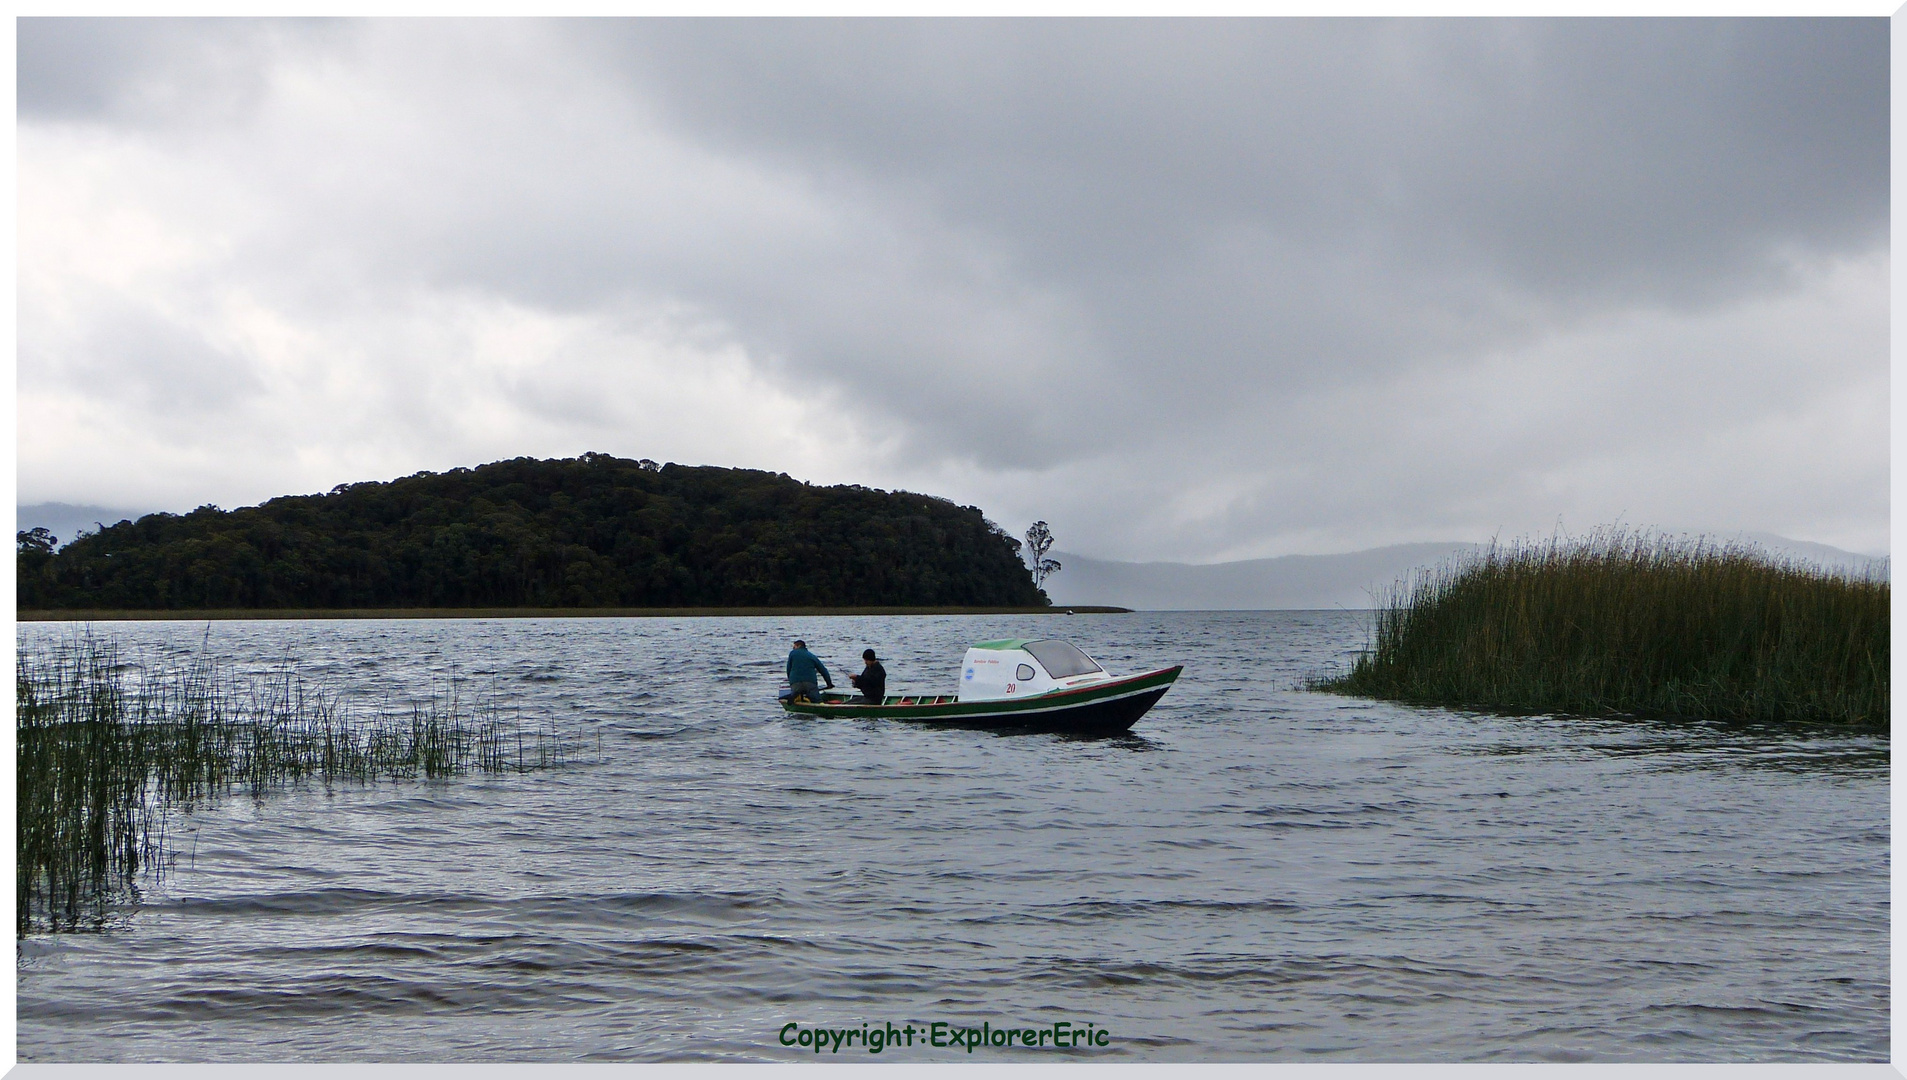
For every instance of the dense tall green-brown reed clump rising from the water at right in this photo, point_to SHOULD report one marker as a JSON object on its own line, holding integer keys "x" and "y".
{"x": 1633, "y": 625}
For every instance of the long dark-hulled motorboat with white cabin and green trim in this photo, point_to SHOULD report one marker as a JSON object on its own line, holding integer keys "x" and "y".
{"x": 1015, "y": 684}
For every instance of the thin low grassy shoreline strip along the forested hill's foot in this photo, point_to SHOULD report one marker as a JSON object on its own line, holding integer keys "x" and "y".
{"x": 300, "y": 613}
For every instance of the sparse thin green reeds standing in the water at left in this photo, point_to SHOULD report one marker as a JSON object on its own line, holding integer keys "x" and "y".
{"x": 108, "y": 751}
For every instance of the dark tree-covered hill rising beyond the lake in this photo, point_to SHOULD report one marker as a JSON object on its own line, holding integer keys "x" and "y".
{"x": 590, "y": 531}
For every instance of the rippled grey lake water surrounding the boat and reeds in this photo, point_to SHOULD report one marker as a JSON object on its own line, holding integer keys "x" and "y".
{"x": 1258, "y": 873}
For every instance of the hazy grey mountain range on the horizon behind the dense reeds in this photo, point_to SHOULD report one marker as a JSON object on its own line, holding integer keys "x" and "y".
{"x": 1351, "y": 581}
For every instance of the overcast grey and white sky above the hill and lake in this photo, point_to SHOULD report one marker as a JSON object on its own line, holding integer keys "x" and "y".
{"x": 1187, "y": 291}
